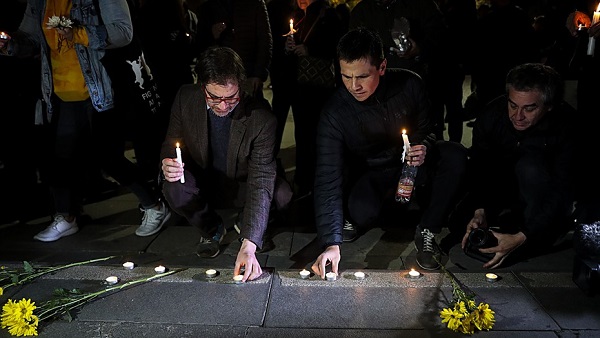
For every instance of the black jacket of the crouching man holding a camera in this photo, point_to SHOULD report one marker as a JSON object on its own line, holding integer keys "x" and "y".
{"x": 497, "y": 146}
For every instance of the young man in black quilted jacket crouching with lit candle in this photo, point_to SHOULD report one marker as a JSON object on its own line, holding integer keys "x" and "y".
{"x": 360, "y": 131}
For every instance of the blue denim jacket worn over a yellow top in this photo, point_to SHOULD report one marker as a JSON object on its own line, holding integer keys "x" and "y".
{"x": 110, "y": 27}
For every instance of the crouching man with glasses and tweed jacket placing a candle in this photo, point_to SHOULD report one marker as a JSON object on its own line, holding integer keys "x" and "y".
{"x": 227, "y": 144}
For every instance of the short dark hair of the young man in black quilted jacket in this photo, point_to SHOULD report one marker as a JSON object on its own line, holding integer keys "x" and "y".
{"x": 361, "y": 43}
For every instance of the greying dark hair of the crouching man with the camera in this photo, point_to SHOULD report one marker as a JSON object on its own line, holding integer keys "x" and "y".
{"x": 536, "y": 76}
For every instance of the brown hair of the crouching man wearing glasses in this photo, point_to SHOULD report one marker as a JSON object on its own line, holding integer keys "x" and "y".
{"x": 220, "y": 65}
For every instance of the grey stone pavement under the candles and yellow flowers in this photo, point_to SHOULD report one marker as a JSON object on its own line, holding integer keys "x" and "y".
{"x": 537, "y": 298}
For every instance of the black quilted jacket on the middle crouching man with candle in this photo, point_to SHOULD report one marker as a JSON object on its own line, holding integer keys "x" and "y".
{"x": 365, "y": 134}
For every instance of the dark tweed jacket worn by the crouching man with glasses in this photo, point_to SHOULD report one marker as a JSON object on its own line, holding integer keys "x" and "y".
{"x": 250, "y": 161}
